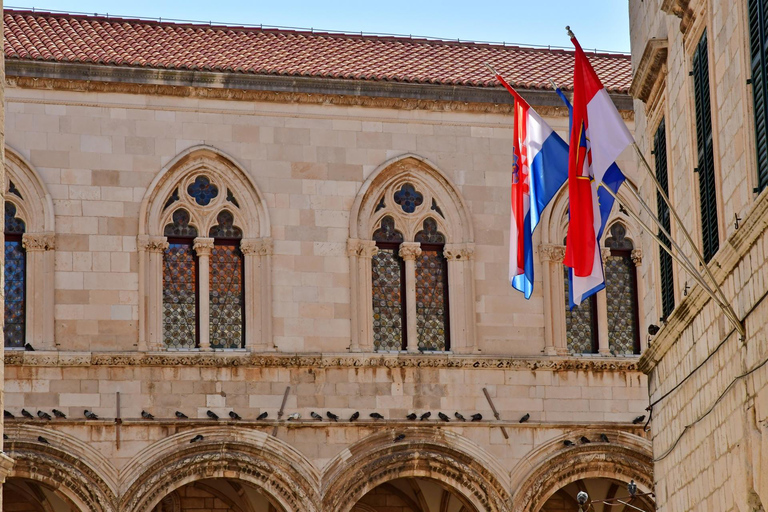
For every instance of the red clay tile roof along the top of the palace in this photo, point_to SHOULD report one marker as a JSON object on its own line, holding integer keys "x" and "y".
{"x": 150, "y": 44}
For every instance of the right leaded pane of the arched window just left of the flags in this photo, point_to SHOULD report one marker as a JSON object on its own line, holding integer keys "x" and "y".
{"x": 431, "y": 304}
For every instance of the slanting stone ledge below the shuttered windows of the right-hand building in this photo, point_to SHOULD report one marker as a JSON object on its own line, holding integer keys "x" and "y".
{"x": 722, "y": 265}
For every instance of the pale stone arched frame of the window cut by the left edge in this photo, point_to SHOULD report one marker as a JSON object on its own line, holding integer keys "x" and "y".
{"x": 34, "y": 205}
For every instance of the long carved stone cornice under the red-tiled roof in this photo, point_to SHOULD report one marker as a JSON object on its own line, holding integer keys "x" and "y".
{"x": 238, "y": 86}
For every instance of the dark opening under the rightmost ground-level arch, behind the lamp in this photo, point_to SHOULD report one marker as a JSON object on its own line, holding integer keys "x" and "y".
{"x": 564, "y": 500}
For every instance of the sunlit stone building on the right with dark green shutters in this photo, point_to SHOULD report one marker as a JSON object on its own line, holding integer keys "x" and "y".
{"x": 698, "y": 77}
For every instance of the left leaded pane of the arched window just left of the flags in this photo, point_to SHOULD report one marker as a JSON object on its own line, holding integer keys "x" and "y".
{"x": 388, "y": 317}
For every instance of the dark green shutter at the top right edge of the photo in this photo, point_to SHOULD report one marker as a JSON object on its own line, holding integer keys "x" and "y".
{"x": 758, "y": 42}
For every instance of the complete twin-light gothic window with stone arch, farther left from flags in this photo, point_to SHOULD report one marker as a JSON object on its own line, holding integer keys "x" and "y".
{"x": 205, "y": 235}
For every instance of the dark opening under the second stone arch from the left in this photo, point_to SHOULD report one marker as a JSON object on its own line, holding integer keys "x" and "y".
{"x": 217, "y": 495}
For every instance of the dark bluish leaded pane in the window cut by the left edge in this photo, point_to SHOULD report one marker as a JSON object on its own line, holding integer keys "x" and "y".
{"x": 14, "y": 293}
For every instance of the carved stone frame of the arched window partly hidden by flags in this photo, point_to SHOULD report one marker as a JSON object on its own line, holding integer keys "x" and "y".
{"x": 551, "y": 252}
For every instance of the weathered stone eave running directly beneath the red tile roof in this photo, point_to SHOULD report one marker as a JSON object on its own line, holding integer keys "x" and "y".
{"x": 290, "y": 85}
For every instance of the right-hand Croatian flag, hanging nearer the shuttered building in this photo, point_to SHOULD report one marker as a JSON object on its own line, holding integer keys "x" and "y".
{"x": 602, "y": 136}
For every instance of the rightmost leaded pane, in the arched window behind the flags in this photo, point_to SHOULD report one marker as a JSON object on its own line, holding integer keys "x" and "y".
{"x": 621, "y": 299}
